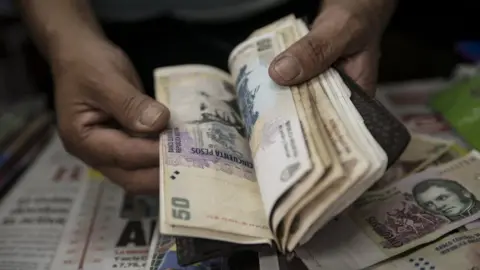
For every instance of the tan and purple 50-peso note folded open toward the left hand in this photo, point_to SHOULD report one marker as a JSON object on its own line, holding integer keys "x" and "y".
{"x": 207, "y": 178}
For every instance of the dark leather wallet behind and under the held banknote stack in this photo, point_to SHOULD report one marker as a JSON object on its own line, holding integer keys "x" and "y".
{"x": 388, "y": 131}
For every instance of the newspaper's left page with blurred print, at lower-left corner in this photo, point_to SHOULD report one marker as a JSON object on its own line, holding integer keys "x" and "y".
{"x": 33, "y": 214}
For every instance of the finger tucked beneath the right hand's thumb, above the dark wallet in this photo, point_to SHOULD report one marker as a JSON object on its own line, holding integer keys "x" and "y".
{"x": 363, "y": 69}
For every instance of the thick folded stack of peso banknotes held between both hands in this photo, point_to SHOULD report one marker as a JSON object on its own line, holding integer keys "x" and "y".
{"x": 248, "y": 161}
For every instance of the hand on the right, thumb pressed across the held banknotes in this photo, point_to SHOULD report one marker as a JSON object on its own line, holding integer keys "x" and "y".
{"x": 347, "y": 32}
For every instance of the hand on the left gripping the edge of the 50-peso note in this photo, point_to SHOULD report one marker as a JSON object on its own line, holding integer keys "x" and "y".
{"x": 100, "y": 105}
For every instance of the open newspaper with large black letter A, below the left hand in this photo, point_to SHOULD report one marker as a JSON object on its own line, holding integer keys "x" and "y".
{"x": 64, "y": 215}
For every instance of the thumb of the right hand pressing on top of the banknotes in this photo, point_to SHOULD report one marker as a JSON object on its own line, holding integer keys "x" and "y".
{"x": 315, "y": 52}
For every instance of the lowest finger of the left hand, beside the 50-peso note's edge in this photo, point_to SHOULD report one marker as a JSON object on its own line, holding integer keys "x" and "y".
{"x": 144, "y": 181}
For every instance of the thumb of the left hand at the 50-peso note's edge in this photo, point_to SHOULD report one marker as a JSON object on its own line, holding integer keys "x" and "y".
{"x": 137, "y": 111}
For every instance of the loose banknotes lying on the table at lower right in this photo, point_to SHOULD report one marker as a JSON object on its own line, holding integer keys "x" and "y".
{"x": 423, "y": 214}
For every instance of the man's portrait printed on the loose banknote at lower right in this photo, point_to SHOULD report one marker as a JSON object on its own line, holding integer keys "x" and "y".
{"x": 445, "y": 197}
